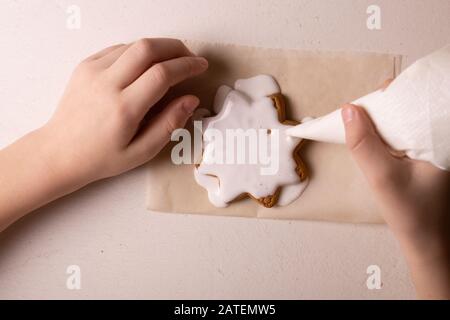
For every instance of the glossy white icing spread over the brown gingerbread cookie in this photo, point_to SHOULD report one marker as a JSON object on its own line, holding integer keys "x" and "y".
{"x": 248, "y": 106}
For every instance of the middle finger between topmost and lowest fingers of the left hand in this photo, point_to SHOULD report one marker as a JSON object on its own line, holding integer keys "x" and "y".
{"x": 155, "y": 82}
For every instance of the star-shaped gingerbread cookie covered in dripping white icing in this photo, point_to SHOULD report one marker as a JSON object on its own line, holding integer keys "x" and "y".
{"x": 246, "y": 150}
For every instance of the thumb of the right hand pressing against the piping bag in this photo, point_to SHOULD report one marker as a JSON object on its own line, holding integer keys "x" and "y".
{"x": 367, "y": 148}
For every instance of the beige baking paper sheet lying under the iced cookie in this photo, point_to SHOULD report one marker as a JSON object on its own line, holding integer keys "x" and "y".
{"x": 313, "y": 83}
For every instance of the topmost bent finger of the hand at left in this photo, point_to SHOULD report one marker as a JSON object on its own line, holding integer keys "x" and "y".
{"x": 142, "y": 55}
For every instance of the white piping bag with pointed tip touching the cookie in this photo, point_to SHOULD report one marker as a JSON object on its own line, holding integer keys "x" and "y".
{"x": 411, "y": 115}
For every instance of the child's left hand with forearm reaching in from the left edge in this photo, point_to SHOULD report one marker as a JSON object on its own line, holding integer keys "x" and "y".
{"x": 97, "y": 130}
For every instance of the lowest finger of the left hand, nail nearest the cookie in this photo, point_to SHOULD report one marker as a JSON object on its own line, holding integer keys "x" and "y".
{"x": 157, "y": 133}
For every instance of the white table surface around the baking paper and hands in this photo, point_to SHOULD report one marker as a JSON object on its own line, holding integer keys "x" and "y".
{"x": 125, "y": 251}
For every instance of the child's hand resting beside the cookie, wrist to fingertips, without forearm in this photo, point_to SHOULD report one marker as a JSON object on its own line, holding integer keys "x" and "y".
{"x": 98, "y": 122}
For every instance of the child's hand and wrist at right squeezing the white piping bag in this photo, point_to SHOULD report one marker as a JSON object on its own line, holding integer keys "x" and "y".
{"x": 414, "y": 198}
